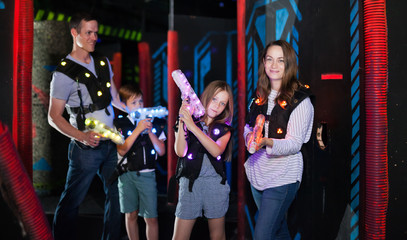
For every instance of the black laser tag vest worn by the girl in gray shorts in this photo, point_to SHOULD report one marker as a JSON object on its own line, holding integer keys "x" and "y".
{"x": 190, "y": 165}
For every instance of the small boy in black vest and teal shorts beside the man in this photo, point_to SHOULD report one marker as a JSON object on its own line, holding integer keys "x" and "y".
{"x": 137, "y": 186}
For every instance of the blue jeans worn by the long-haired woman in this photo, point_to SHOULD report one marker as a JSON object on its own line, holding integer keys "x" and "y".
{"x": 273, "y": 204}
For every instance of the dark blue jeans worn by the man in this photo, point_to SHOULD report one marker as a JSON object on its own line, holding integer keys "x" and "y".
{"x": 84, "y": 164}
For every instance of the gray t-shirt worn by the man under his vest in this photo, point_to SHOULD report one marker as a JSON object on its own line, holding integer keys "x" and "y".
{"x": 64, "y": 88}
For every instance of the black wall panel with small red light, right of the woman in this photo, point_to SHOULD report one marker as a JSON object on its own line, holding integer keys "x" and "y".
{"x": 325, "y": 48}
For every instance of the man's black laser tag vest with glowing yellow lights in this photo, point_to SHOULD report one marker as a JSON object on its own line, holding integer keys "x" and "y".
{"x": 98, "y": 87}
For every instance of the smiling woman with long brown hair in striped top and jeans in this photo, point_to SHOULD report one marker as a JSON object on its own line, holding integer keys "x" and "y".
{"x": 275, "y": 170}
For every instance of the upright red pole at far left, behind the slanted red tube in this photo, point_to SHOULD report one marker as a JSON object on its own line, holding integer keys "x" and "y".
{"x": 22, "y": 73}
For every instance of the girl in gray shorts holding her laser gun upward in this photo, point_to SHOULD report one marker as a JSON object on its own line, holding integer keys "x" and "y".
{"x": 201, "y": 146}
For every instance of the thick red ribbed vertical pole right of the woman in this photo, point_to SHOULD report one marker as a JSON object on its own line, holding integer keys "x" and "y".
{"x": 376, "y": 61}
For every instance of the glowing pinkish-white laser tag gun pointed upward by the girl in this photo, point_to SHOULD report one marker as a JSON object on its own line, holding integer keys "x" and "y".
{"x": 188, "y": 93}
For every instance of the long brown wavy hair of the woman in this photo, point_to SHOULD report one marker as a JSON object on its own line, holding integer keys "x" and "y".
{"x": 289, "y": 82}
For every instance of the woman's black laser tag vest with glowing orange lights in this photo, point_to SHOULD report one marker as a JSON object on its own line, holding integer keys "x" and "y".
{"x": 278, "y": 119}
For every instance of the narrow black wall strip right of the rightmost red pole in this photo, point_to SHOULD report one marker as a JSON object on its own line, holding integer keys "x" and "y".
{"x": 397, "y": 118}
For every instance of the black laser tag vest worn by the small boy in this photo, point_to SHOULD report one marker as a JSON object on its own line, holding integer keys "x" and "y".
{"x": 141, "y": 147}
